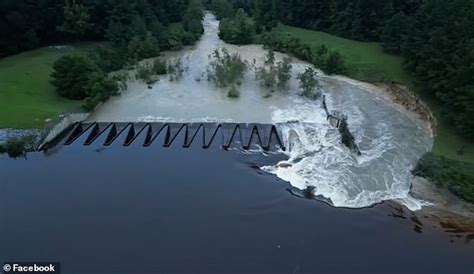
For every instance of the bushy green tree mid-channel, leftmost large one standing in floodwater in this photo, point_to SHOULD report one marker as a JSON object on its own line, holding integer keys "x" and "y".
{"x": 226, "y": 69}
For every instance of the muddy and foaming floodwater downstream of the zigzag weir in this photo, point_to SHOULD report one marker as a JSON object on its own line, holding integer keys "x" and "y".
{"x": 390, "y": 140}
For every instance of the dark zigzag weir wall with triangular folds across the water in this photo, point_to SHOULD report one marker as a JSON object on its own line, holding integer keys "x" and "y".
{"x": 225, "y": 135}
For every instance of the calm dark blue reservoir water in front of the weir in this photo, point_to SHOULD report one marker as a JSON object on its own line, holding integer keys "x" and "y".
{"x": 175, "y": 210}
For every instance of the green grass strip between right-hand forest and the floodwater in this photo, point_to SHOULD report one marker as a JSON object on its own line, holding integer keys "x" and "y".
{"x": 367, "y": 61}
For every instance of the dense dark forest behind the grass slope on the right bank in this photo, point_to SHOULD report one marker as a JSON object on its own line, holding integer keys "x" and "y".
{"x": 436, "y": 38}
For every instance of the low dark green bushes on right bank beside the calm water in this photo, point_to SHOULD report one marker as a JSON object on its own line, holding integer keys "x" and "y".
{"x": 456, "y": 176}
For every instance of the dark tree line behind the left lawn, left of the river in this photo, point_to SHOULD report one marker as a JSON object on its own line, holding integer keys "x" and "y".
{"x": 25, "y": 25}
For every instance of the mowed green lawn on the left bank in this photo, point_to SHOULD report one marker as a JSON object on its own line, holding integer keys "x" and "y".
{"x": 27, "y": 98}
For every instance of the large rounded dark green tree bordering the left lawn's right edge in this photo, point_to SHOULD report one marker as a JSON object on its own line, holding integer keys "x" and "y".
{"x": 71, "y": 75}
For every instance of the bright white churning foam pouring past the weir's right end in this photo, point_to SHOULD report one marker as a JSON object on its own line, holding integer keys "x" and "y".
{"x": 317, "y": 158}
